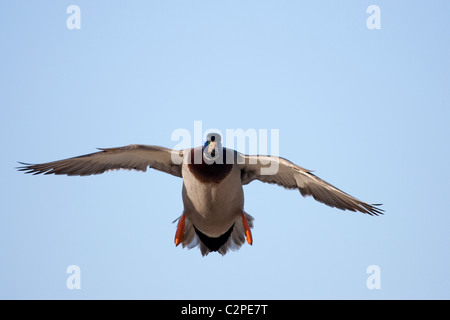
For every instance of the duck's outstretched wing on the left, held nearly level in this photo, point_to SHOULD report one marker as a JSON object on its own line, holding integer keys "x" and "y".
{"x": 137, "y": 157}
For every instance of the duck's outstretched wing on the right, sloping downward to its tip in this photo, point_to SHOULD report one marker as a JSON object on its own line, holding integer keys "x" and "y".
{"x": 284, "y": 173}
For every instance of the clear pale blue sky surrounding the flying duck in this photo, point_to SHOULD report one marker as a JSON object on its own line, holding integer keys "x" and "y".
{"x": 367, "y": 110}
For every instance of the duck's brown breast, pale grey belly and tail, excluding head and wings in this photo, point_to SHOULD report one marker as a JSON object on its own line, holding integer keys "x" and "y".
{"x": 213, "y": 200}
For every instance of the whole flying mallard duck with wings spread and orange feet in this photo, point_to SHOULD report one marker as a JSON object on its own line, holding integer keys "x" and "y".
{"x": 213, "y": 176}
